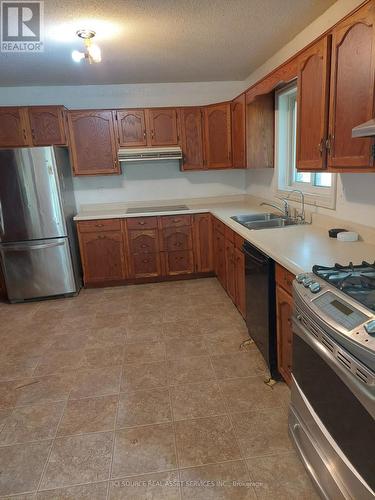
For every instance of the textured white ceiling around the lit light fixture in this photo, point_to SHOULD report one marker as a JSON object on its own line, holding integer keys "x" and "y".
{"x": 160, "y": 40}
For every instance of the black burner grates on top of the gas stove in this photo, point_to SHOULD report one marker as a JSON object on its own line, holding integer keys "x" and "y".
{"x": 356, "y": 281}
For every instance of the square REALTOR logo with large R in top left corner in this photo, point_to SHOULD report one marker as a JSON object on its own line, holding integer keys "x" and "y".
{"x": 22, "y": 27}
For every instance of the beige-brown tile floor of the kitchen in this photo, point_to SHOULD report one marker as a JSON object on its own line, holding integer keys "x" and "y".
{"x": 140, "y": 393}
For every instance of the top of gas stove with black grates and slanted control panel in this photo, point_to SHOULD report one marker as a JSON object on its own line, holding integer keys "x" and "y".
{"x": 342, "y": 301}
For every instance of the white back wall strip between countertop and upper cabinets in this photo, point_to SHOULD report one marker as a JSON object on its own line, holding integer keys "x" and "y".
{"x": 158, "y": 180}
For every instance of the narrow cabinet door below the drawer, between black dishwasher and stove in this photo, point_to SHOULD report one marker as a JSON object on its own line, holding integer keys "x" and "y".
{"x": 284, "y": 305}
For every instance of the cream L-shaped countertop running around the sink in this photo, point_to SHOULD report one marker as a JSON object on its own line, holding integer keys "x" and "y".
{"x": 297, "y": 248}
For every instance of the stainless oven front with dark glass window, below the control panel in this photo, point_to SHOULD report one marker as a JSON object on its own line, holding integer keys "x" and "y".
{"x": 334, "y": 408}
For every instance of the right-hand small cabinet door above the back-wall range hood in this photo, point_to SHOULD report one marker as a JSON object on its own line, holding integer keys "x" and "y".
{"x": 162, "y": 126}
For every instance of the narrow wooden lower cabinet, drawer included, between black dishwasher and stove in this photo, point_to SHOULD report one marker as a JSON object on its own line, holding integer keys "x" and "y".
{"x": 284, "y": 311}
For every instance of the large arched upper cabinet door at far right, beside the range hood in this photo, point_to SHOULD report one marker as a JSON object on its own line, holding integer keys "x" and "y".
{"x": 352, "y": 90}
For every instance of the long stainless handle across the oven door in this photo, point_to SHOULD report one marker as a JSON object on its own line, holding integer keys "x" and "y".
{"x": 365, "y": 394}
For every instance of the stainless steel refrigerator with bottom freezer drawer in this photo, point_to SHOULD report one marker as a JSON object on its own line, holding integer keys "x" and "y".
{"x": 38, "y": 244}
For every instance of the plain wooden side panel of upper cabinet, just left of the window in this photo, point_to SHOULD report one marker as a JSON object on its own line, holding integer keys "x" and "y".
{"x": 260, "y": 131}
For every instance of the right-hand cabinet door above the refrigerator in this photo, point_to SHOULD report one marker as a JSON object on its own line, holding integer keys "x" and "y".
{"x": 47, "y": 125}
